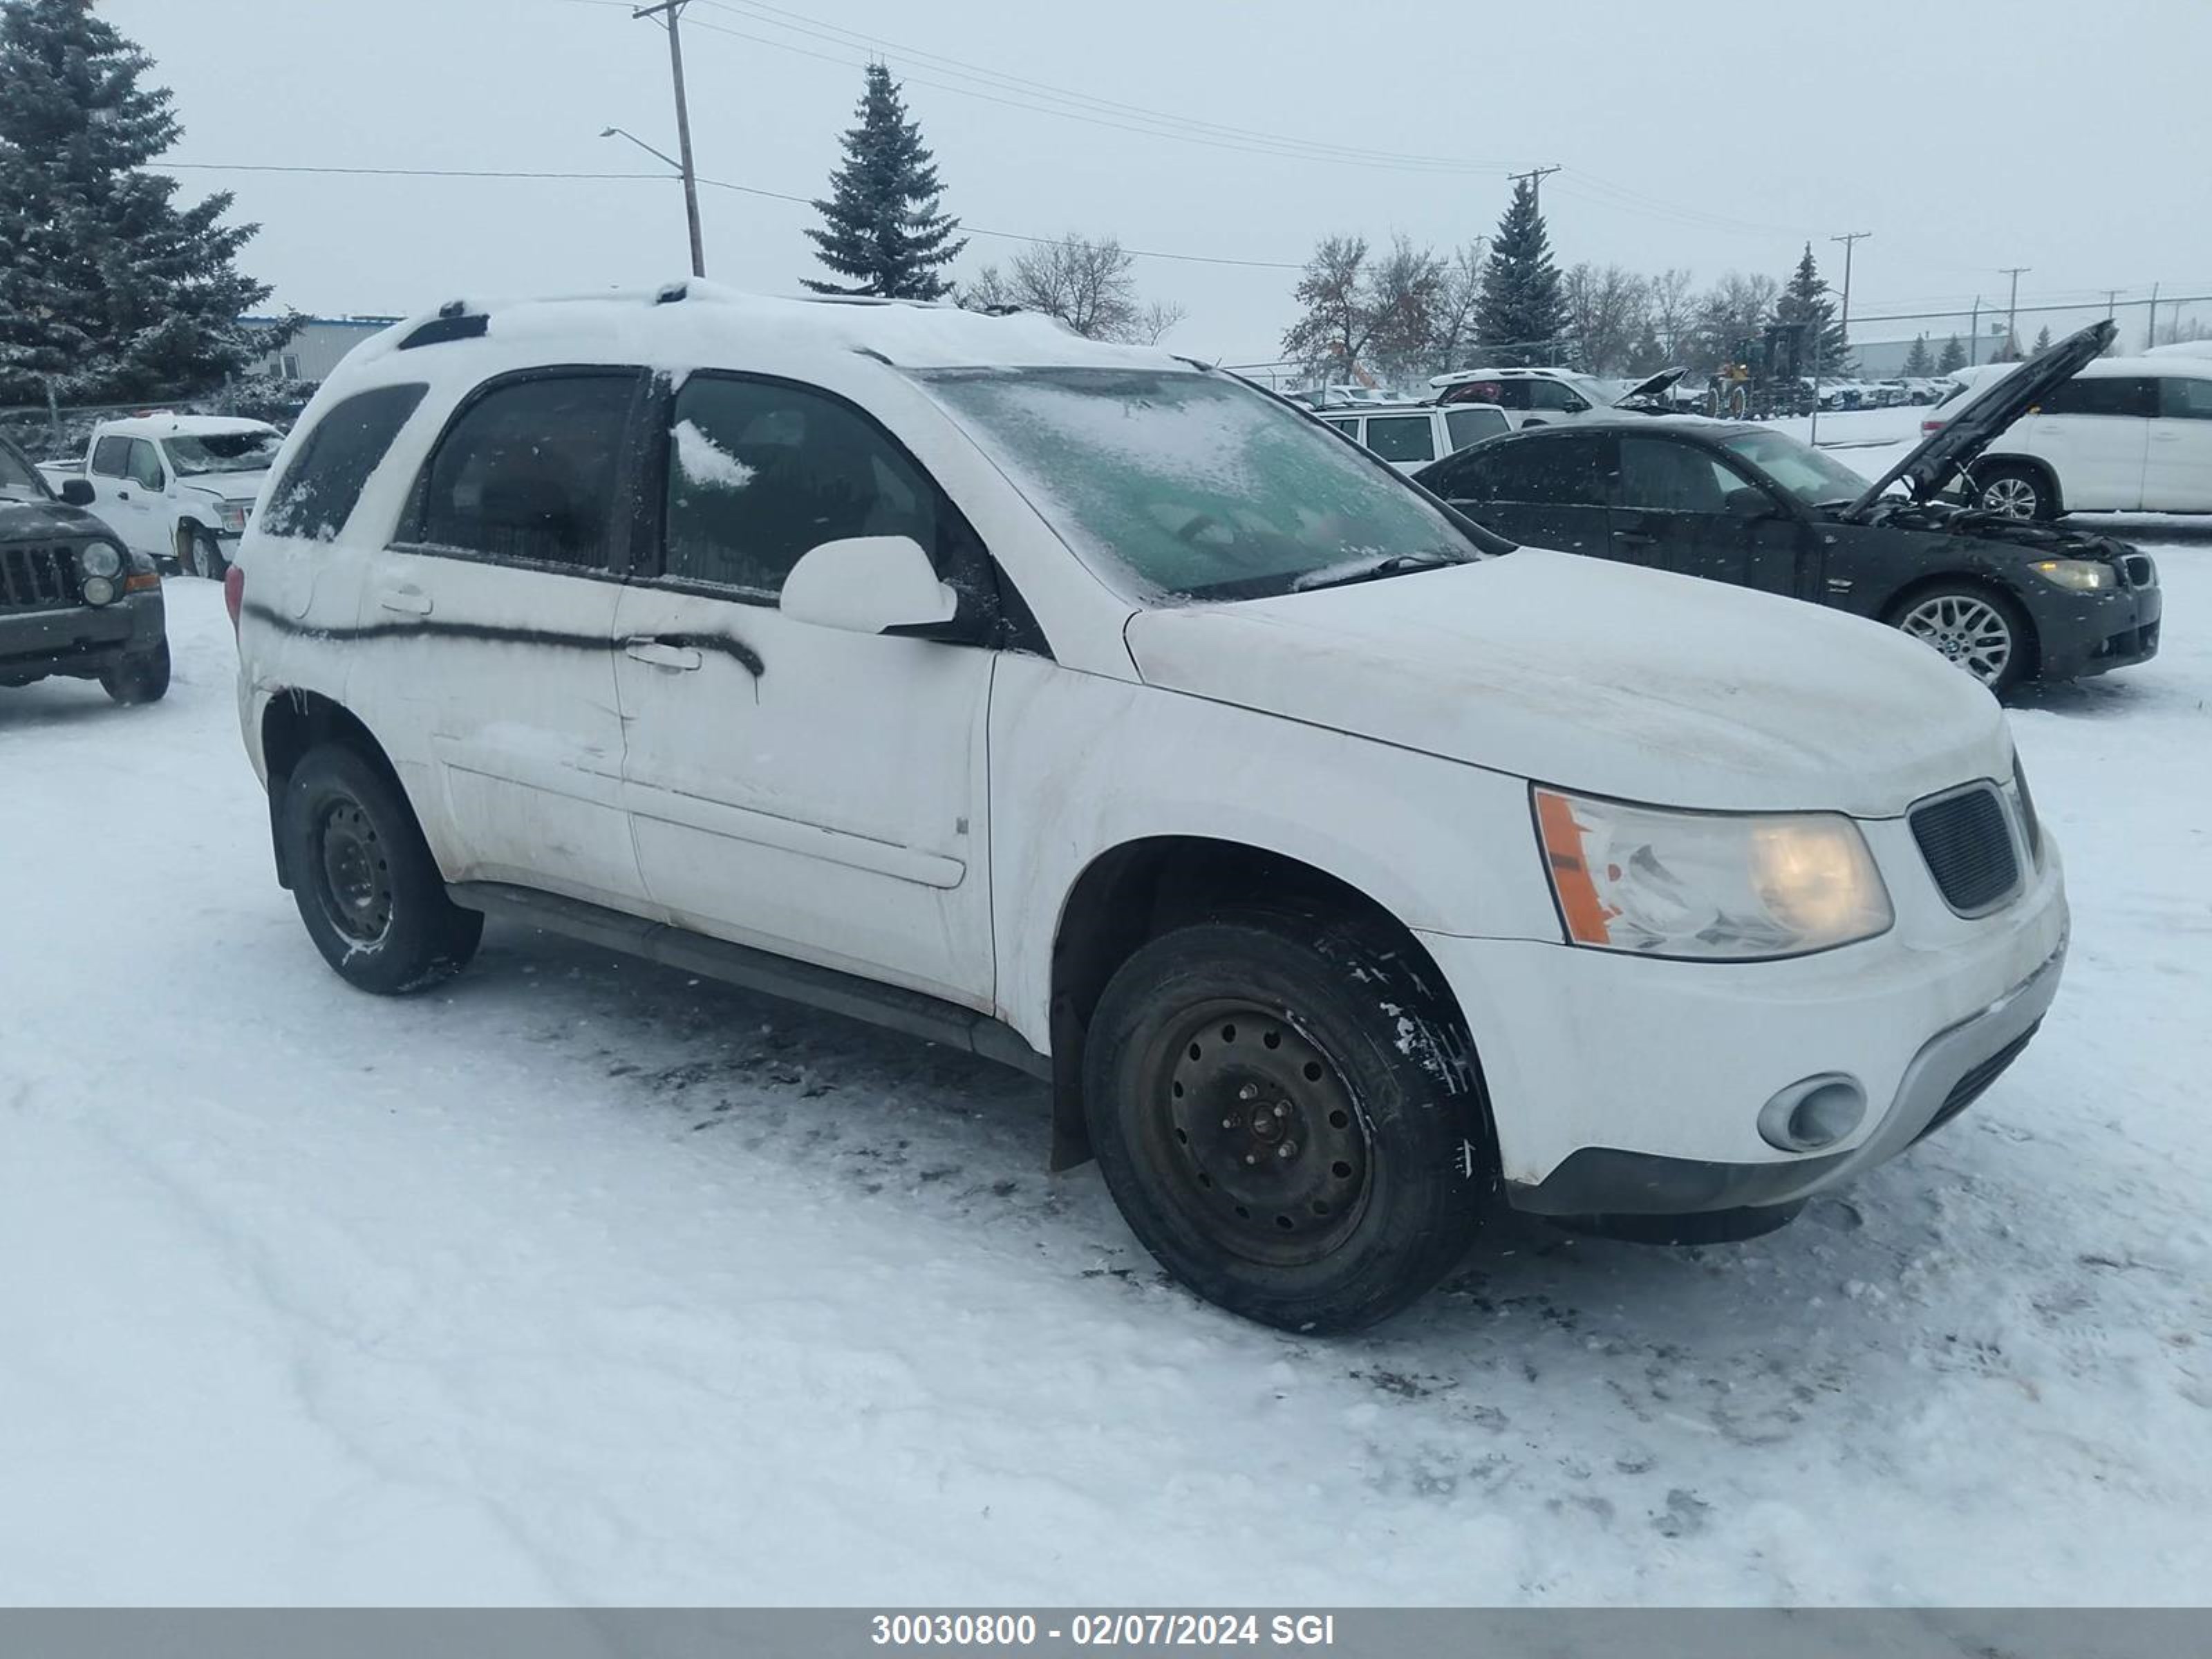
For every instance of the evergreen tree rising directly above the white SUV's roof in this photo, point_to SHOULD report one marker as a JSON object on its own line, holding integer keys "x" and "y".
{"x": 884, "y": 225}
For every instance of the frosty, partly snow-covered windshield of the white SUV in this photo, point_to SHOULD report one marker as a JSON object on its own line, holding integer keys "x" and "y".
{"x": 1193, "y": 483}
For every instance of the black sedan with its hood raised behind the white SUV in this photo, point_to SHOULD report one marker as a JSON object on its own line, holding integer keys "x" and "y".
{"x": 1751, "y": 505}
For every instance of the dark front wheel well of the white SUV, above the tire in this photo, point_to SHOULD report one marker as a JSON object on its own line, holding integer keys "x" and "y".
{"x": 1147, "y": 888}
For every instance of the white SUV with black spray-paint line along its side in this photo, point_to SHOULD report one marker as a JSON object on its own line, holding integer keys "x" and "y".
{"x": 1342, "y": 868}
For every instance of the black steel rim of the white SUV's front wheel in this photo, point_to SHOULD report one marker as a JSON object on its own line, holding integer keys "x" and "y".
{"x": 1253, "y": 1134}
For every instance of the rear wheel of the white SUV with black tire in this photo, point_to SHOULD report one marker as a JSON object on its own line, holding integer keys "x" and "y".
{"x": 364, "y": 879}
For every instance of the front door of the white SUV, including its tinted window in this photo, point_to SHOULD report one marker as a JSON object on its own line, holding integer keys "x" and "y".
{"x": 791, "y": 786}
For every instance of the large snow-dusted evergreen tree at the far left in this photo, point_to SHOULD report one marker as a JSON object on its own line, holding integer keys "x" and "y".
{"x": 107, "y": 286}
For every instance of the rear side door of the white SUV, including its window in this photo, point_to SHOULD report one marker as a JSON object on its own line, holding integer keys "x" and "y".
{"x": 494, "y": 625}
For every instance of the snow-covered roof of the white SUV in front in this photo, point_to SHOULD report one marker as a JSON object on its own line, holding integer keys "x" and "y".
{"x": 693, "y": 324}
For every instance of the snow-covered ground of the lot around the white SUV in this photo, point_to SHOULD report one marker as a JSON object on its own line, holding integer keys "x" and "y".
{"x": 585, "y": 1282}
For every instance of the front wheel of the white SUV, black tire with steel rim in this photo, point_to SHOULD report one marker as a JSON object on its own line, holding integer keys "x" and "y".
{"x": 1218, "y": 1047}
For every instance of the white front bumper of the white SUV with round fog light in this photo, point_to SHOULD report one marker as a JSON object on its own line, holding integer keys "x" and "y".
{"x": 1634, "y": 1087}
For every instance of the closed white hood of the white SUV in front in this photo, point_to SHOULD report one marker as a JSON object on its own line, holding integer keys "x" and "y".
{"x": 1600, "y": 678}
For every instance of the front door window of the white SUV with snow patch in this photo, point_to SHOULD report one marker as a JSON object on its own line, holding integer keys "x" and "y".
{"x": 762, "y": 474}
